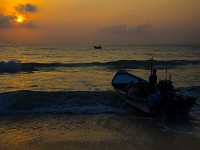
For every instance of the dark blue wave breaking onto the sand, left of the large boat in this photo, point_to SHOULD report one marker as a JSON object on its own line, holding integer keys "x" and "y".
{"x": 73, "y": 102}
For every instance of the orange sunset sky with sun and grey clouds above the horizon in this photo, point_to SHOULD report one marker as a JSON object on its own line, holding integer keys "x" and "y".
{"x": 100, "y": 21}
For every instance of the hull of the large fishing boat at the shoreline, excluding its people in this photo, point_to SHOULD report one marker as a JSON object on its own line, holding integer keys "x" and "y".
{"x": 182, "y": 103}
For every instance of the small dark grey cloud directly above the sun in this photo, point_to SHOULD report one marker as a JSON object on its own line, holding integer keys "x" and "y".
{"x": 27, "y": 8}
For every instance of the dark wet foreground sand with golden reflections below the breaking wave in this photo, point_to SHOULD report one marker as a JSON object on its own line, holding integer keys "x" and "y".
{"x": 95, "y": 132}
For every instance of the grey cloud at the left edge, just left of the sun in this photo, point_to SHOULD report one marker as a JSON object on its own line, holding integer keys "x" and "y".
{"x": 6, "y": 21}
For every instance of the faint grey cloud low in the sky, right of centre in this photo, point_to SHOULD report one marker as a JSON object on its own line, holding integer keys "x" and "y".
{"x": 123, "y": 29}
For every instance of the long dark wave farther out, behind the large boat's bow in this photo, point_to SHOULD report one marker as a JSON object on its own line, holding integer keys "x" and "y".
{"x": 16, "y": 66}
